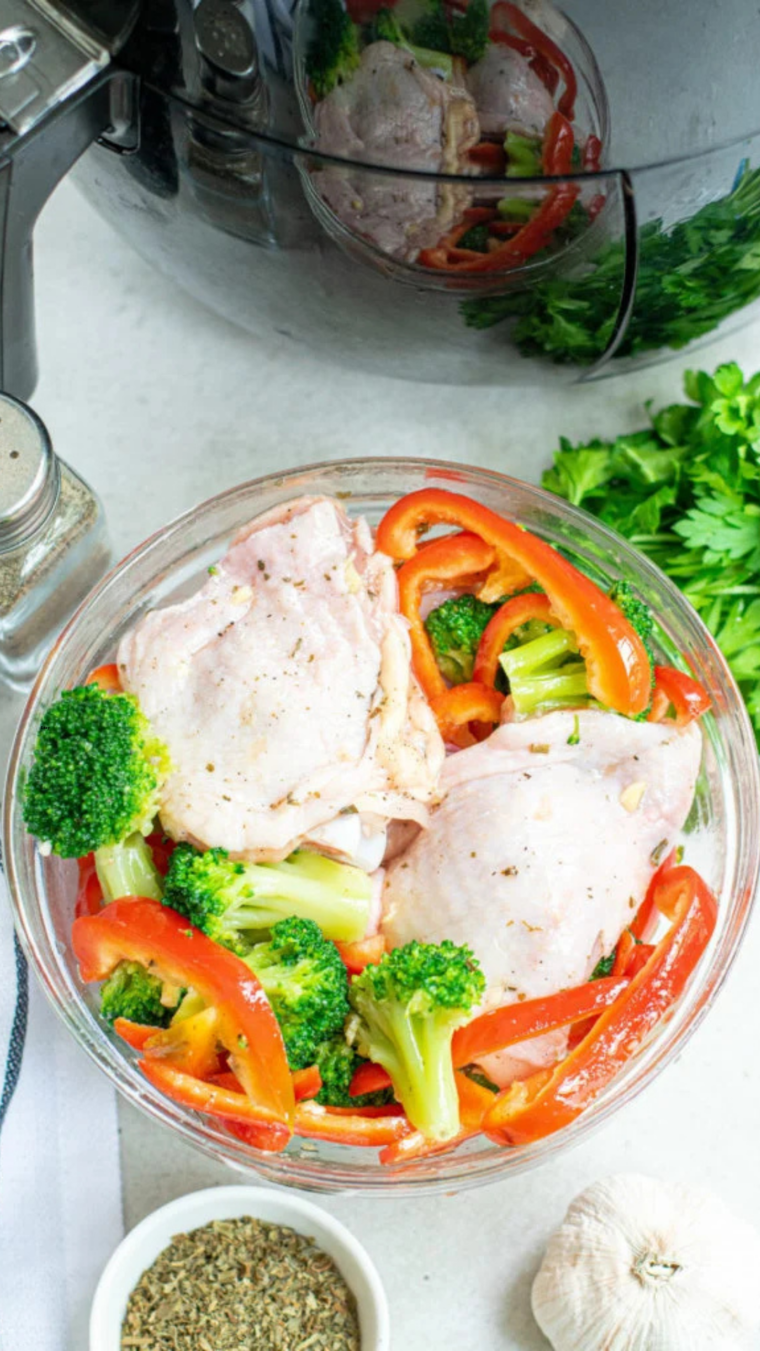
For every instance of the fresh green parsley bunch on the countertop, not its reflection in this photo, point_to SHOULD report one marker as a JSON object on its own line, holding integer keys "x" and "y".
{"x": 686, "y": 491}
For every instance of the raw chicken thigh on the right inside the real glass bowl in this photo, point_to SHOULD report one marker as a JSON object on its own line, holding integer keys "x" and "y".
{"x": 541, "y": 850}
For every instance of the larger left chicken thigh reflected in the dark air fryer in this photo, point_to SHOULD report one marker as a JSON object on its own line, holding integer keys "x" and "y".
{"x": 398, "y": 114}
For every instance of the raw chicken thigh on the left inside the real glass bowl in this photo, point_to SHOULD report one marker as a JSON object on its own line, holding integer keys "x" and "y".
{"x": 284, "y": 694}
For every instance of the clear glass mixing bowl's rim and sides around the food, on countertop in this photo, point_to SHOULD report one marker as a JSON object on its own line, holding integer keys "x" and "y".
{"x": 722, "y": 836}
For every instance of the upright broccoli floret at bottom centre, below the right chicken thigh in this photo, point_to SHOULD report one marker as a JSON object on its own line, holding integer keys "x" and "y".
{"x": 408, "y": 1009}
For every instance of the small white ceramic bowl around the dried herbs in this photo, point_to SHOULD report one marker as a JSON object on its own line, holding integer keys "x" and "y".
{"x": 140, "y": 1250}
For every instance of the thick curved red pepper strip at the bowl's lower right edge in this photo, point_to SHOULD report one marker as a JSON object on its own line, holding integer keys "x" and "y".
{"x": 551, "y": 1100}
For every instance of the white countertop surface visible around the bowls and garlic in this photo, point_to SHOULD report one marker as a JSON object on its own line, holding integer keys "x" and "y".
{"x": 161, "y": 405}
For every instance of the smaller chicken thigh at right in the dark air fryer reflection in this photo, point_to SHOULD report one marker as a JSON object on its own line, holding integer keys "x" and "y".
{"x": 508, "y": 95}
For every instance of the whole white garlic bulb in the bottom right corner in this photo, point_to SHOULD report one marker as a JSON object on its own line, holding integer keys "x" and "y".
{"x": 642, "y": 1265}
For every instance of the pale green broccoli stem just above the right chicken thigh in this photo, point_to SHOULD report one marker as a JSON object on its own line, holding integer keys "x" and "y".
{"x": 543, "y": 675}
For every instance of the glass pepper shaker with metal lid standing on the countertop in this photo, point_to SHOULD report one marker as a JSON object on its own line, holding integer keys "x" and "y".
{"x": 53, "y": 542}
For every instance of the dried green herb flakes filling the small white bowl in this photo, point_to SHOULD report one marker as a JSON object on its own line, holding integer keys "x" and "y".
{"x": 242, "y": 1285}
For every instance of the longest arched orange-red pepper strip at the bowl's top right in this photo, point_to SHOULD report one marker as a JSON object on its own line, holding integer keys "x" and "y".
{"x": 616, "y": 660}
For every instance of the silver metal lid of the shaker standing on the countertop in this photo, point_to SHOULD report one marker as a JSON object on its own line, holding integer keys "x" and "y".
{"x": 30, "y": 476}
